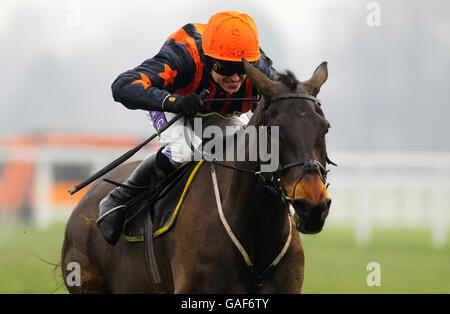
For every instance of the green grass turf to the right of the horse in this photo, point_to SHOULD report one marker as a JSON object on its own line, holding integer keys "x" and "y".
{"x": 334, "y": 263}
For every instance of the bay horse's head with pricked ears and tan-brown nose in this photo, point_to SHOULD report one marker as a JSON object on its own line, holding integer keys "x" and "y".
{"x": 292, "y": 106}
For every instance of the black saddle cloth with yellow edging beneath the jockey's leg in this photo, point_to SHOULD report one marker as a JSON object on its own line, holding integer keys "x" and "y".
{"x": 164, "y": 204}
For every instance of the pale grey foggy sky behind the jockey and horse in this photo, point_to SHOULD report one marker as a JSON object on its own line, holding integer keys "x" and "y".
{"x": 387, "y": 86}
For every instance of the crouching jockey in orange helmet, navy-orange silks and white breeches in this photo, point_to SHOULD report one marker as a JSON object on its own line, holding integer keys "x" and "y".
{"x": 194, "y": 58}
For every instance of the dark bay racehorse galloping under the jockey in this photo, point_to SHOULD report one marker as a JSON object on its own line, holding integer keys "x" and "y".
{"x": 198, "y": 255}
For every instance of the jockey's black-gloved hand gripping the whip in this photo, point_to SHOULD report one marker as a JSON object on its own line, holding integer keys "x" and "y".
{"x": 187, "y": 105}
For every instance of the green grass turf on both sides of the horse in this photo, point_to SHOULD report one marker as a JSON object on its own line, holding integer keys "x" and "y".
{"x": 334, "y": 262}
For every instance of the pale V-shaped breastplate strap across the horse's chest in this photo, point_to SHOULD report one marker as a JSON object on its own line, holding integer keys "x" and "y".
{"x": 258, "y": 279}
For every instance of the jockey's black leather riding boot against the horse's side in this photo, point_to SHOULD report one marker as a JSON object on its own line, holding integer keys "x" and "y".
{"x": 113, "y": 208}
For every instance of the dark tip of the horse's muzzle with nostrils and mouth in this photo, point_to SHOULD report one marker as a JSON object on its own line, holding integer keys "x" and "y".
{"x": 311, "y": 217}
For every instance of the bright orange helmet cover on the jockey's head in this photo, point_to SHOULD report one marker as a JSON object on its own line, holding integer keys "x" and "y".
{"x": 231, "y": 36}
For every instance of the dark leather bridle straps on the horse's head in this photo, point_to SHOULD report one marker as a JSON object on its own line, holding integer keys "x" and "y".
{"x": 308, "y": 166}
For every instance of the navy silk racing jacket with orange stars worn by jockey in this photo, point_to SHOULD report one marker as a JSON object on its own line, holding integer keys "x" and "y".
{"x": 178, "y": 68}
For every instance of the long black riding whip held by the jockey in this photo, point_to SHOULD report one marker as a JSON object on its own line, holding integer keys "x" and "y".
{"x": 128, "y": 154}
